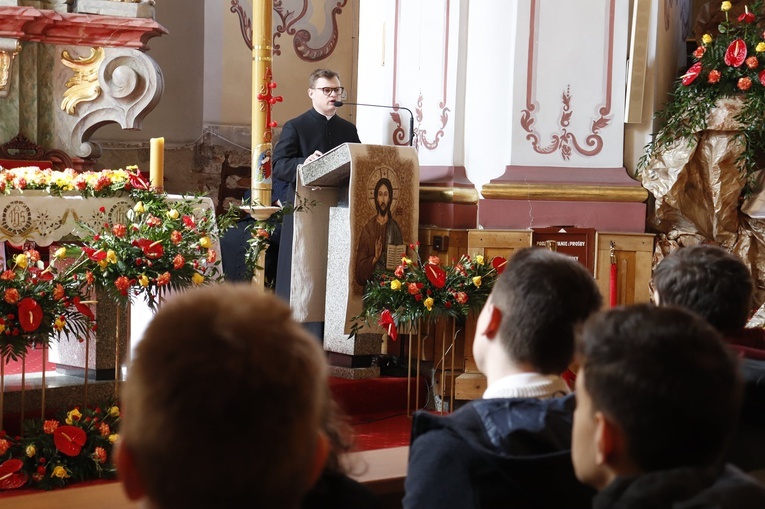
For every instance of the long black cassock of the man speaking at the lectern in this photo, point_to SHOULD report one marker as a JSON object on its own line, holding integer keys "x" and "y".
{"x": 300, "y": 137}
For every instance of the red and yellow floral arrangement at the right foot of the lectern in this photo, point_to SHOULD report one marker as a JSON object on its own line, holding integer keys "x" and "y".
{"x": 426, "y": 291}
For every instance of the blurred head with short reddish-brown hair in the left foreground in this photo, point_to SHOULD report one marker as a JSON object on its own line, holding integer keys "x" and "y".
{"x": 223, "y": 404}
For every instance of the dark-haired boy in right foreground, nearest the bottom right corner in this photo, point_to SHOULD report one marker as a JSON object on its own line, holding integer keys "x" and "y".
{"x": 657, "y": 400}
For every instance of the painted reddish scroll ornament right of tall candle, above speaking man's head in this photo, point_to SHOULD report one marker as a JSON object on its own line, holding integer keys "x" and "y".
{"x": 302, "y": 37}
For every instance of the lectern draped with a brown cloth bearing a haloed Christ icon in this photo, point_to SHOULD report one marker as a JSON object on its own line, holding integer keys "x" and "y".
{"x": 367, "y": 214}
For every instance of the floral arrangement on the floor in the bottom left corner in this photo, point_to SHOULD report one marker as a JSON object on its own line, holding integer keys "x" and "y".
{"x": 76, "y": 446}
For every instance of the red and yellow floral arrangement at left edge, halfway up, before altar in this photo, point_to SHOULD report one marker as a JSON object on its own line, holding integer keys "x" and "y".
{"x": 40, "y": 302}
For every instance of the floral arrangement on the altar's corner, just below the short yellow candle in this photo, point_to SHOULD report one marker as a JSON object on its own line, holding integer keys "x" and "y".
{"x": 166, "y": 245}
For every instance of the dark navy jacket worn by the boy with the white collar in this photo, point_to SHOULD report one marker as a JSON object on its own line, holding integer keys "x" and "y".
{"x": 501, "y": 453}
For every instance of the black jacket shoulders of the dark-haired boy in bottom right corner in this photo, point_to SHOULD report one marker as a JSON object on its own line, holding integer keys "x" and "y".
{"x": 684, "y": 488}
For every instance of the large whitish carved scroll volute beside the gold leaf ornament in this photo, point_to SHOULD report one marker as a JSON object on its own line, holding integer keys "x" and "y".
{"x": 131, "y": 84}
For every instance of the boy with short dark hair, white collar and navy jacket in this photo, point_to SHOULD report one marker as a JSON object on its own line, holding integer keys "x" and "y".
{"x": 511, "y": 448}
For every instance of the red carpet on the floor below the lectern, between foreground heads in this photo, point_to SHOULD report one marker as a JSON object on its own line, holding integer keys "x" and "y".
{"x": 377, "y": 409}
